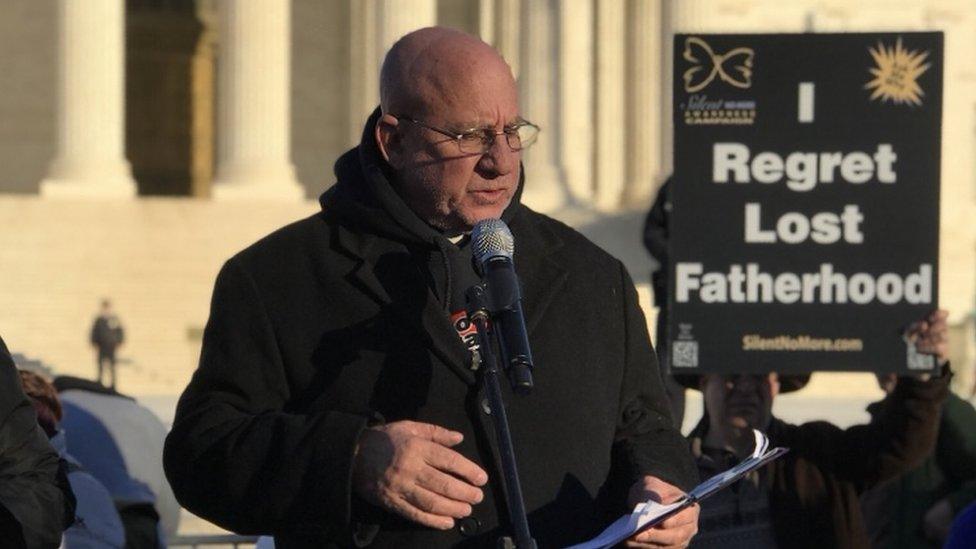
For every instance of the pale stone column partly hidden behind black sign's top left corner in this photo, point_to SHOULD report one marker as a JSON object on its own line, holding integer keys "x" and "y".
{"x": 680, "y": 16}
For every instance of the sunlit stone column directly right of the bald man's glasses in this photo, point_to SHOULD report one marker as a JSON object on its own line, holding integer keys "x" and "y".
{"x": 538, "y": 88}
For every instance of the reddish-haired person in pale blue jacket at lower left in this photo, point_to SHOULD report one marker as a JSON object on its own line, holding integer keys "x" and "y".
{"x": 97, "y": 524}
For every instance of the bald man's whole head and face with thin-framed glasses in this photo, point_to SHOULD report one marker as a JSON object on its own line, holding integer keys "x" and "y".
{"x": 437, "y": 83}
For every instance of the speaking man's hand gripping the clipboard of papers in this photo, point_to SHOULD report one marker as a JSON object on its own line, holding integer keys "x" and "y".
{"x": 674, "y": 532}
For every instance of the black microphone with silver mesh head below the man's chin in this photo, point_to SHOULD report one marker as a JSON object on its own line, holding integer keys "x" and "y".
{"x": 492, "y": 248}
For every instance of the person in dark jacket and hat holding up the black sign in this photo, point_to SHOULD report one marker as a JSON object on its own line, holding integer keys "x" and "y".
{"x": 810, "y": 496}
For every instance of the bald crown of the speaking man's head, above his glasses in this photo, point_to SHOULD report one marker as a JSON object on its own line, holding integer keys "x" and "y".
{"x": 434, "y": 68}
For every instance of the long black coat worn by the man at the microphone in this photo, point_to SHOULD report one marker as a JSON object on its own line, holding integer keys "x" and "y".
{"x": 332, "y": 322}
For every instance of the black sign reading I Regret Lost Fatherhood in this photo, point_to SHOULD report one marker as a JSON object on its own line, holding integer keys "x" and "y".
{"x": 805, "y": 222}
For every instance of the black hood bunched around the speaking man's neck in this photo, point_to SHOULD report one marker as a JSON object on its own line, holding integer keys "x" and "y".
{"x": 365, "y": 195}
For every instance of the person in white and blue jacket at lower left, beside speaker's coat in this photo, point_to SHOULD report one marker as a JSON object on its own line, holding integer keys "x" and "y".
{"x": 121, "y": 443}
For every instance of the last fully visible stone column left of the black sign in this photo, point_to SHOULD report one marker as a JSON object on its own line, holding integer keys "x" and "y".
{"x": 643, "y": 97}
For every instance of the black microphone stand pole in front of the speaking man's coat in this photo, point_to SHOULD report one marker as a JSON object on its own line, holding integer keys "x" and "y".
{"x": 479, "y": 314}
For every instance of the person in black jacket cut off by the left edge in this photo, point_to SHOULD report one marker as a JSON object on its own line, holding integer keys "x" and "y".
{"x": 36, "y": 501}
